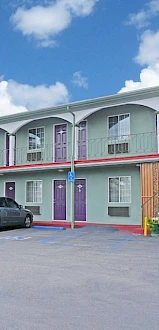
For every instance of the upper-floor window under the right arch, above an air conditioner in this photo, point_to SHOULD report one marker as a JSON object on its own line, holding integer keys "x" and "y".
{"x": 119, "y": 126}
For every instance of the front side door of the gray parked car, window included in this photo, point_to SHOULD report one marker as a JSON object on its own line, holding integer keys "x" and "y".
{"x": 13, "y": 213}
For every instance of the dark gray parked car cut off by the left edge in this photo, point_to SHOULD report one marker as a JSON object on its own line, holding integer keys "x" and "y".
{"x": 13, "y": 214}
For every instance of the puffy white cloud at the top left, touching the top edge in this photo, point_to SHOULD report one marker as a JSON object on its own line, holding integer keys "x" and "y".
{"x": 45, "y": 22}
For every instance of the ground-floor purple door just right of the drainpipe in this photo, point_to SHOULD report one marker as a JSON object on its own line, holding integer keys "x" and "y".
{"x": 80, "y": 199}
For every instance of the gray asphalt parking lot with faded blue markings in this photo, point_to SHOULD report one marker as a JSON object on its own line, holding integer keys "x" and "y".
{"x": 91, "y": 278}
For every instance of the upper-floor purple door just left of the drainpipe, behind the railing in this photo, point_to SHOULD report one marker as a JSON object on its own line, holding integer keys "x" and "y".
{"x": 60, "y": 143}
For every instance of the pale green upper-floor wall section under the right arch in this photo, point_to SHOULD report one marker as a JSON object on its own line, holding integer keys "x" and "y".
{"x": 143, "y": 139}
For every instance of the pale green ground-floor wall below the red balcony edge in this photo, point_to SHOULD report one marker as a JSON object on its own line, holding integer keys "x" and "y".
{"x": 97, "y": 192}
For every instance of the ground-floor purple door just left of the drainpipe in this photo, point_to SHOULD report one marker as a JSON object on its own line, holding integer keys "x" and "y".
{"x": 60, "y": 200}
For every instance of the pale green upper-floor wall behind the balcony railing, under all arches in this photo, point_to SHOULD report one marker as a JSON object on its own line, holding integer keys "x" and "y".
{"x": 142, "y": 140}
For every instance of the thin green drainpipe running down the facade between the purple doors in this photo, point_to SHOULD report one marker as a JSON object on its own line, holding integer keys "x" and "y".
{"x": 73, "y": 170}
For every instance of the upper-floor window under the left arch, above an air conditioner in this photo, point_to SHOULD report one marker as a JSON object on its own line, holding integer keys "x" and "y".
{"x": 36, "y": 138}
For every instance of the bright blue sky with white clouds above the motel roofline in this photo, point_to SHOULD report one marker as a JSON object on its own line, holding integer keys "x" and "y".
{"x": 54, "y": 52}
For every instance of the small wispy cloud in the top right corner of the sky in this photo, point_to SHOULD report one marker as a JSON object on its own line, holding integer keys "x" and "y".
{"x": 143, "y": 17}
